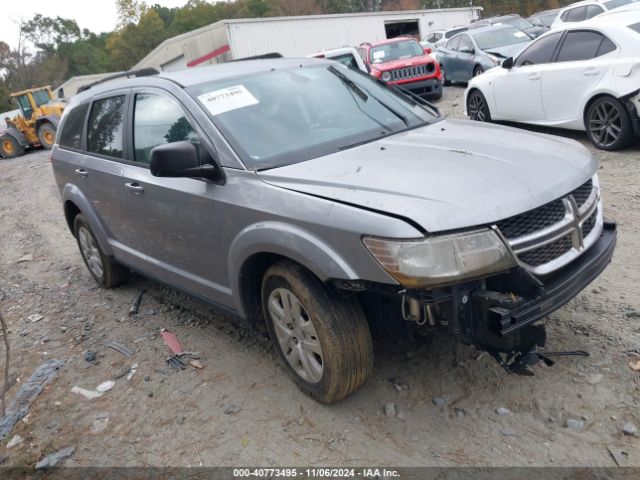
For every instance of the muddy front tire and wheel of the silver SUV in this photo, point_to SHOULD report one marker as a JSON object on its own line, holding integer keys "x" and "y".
{"x": 339, "y": 353}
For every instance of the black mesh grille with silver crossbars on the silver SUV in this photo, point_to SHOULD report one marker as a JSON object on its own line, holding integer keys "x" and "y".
{"x": 548, "y": 237}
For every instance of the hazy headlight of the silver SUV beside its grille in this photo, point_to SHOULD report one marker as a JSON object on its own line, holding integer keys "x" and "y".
{"x": 442, "y": 259}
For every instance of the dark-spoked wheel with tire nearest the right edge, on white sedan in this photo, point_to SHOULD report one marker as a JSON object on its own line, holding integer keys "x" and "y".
{"x": 608, "y": 124}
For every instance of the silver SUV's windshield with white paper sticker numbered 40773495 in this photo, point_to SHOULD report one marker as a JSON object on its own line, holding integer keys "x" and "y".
{"x": 287, "y": 116}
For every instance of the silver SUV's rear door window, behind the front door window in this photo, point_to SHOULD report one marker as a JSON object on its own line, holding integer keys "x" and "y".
{"x": 106, "y": 126}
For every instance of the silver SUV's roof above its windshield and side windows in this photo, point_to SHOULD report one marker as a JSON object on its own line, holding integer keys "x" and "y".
{"x": 194, "y": 76}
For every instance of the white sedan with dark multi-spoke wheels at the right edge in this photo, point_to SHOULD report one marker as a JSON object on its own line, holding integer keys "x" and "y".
{"x": 585, "y": 77}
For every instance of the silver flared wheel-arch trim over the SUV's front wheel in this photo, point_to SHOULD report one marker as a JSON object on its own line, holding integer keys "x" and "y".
{"x": 288, "y": 241}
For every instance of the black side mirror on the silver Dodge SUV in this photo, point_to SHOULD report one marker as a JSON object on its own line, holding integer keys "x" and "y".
{"x": 180, "y": 159}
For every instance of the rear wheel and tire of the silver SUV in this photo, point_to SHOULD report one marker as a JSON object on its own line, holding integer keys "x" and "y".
{"x": 105, "y": 271}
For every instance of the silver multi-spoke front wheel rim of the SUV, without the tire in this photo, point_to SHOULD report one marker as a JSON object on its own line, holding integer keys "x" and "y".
{"x": 296, "y": 335}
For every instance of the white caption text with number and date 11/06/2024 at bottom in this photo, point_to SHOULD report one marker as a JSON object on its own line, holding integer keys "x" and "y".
{"x": 316, "y": 473}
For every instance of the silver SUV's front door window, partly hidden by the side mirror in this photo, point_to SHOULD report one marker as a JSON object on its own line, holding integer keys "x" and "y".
{"x": 158, "y": 120}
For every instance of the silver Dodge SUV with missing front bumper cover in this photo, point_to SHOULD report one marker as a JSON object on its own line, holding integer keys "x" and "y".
{"x": 314, "y": 198}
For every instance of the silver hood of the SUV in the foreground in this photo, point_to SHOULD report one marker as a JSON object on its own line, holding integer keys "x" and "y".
{"x": 449, "y": 175}
